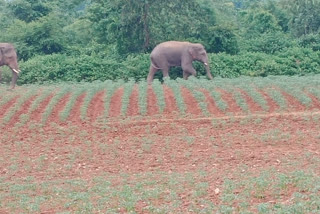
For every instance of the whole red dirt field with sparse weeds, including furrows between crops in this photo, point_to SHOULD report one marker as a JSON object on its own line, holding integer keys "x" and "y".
{"x": 237, "y": 160}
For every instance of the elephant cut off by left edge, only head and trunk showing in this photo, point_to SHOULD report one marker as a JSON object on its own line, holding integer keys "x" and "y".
{"x": 8, "y": 57}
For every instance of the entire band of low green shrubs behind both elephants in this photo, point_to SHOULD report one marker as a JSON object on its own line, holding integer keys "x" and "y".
{"x": 88, "y": 68}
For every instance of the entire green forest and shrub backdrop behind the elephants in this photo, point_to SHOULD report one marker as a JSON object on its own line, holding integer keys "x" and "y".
{"x": 89, "y": 40}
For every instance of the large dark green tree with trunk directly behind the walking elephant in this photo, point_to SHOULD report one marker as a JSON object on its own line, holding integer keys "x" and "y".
{"x": 137, "y": 26}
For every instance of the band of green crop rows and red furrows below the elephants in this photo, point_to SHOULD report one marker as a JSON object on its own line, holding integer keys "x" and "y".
{"x": 194, "y": 96}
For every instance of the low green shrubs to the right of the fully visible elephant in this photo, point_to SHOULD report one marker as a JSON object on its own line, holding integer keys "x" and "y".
{"x": 292, "y": 61}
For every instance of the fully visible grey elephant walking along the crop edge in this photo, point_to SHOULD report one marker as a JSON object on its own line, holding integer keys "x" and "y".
{"x": 175, "y": 53}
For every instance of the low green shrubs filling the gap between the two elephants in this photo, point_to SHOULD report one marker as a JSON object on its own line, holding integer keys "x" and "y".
{"x": 58, "y": 67}
